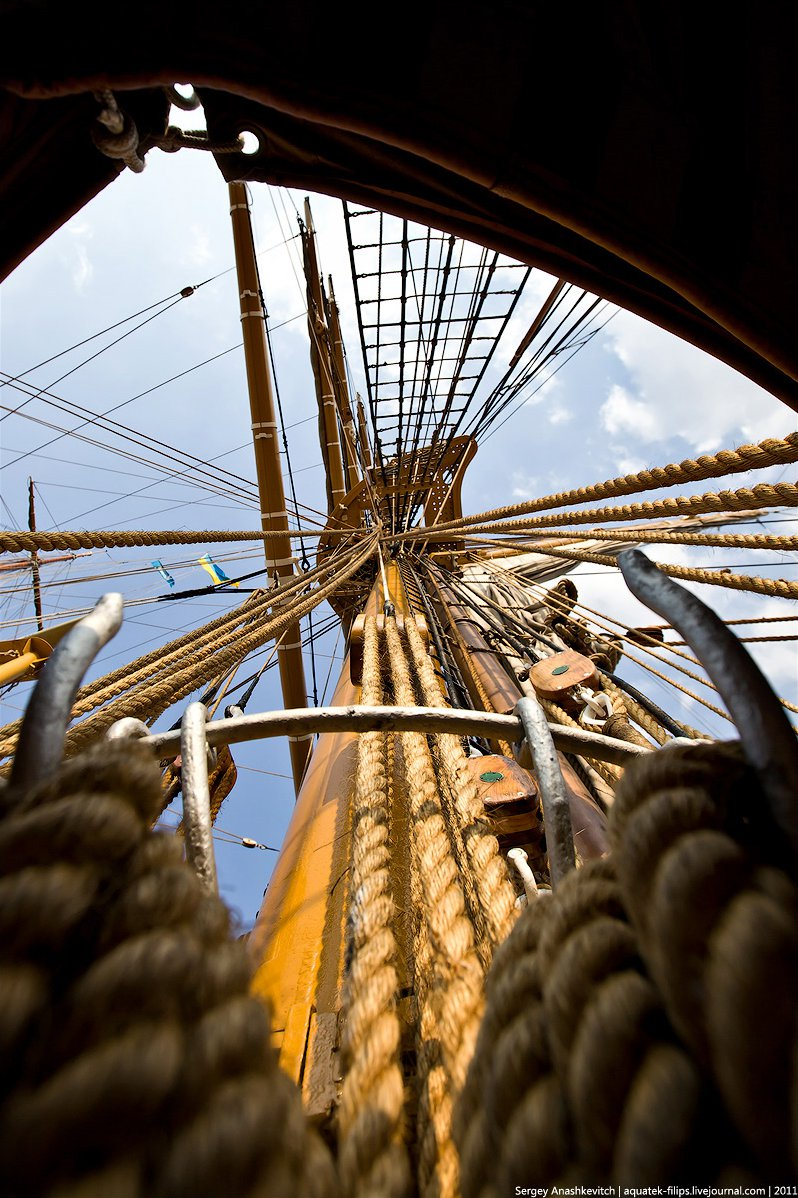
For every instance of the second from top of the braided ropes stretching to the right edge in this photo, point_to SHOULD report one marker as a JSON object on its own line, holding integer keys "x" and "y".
{"x": 764, "y": 495}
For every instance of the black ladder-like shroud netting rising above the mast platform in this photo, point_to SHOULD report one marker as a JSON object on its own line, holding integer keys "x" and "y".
{"x": 433, "y": 311}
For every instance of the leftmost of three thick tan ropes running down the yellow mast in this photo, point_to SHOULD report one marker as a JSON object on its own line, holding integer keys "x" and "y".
{"x": 372, "y": 1154}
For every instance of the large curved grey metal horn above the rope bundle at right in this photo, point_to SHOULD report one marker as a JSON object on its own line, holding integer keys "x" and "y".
{"x": 766, "y": 735}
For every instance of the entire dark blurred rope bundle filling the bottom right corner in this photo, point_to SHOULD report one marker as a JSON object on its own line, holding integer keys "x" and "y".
{"x": 640, "y": 1025}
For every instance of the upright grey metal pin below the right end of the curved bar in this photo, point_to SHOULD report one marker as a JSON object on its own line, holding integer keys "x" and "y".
{"x": 557, "y": 813}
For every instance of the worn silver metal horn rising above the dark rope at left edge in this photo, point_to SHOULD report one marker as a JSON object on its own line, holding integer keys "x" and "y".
{"x": 41, "y": 740}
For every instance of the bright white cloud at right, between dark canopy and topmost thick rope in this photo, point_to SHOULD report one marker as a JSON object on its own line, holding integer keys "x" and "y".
{"x": 678, "y": 390}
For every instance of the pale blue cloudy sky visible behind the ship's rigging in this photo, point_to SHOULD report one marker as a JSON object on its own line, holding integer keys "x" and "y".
{"x": 634, "y": 397}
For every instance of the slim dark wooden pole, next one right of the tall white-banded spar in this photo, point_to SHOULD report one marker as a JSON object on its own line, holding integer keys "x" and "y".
{"x": 323, "y": 366}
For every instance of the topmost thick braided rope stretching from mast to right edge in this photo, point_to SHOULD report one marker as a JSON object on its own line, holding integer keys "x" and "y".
{"x": 772, "y": 452}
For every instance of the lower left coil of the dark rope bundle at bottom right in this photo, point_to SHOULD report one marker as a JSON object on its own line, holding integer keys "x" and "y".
{"x": 578, "y": 1078}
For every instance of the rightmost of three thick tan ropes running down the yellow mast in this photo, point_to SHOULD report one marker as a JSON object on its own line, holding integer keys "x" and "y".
{"x": 495, "y": 893}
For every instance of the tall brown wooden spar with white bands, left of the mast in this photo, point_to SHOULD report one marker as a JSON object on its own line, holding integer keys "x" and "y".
{"x": 274, "y": 515}
